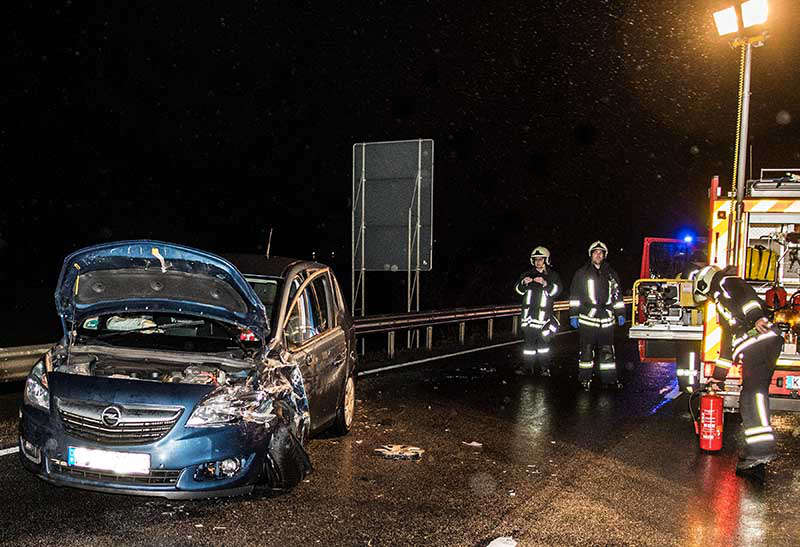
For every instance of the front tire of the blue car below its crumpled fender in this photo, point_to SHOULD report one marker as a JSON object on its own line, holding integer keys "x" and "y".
{"x": 286, "y": 462}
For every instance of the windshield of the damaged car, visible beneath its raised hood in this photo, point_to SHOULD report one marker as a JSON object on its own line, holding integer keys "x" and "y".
{"x": 165, "y": 331}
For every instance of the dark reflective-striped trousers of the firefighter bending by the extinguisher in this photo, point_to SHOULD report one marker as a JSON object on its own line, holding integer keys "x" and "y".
{"x": 758, "y": 365}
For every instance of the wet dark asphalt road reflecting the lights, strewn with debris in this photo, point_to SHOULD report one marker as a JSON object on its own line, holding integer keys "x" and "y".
{"x": 557, "y": 466}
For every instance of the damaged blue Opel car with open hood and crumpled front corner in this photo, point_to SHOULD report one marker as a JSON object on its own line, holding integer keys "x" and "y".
{"x": 179, "y": 376}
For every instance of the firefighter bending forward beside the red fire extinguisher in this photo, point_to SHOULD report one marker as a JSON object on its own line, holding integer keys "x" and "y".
{"x": 750, "y": 339}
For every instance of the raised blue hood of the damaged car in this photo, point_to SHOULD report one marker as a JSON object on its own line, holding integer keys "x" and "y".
{"x": 156, "y": 276}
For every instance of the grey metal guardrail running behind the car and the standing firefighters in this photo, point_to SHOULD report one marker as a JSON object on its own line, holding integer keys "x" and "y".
{"x": 17, "y": 361}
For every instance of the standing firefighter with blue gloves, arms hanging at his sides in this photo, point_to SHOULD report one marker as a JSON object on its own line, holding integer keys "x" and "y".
{"x": 595, "y": 306}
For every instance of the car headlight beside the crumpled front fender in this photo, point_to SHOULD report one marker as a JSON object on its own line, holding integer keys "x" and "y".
{"x": 228, "y": 405}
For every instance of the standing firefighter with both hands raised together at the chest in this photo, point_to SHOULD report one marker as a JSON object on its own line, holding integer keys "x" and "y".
{"x": 539, "y": 287}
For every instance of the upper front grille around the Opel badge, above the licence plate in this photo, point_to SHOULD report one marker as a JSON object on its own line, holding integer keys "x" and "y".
{"x": 137, "y": 424}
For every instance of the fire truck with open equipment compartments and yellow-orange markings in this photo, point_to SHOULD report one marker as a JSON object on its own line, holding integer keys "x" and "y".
{"x": 763, "y": 247}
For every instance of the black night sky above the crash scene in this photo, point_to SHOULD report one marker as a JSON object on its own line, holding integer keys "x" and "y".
{"x": 555, "y": 123}
